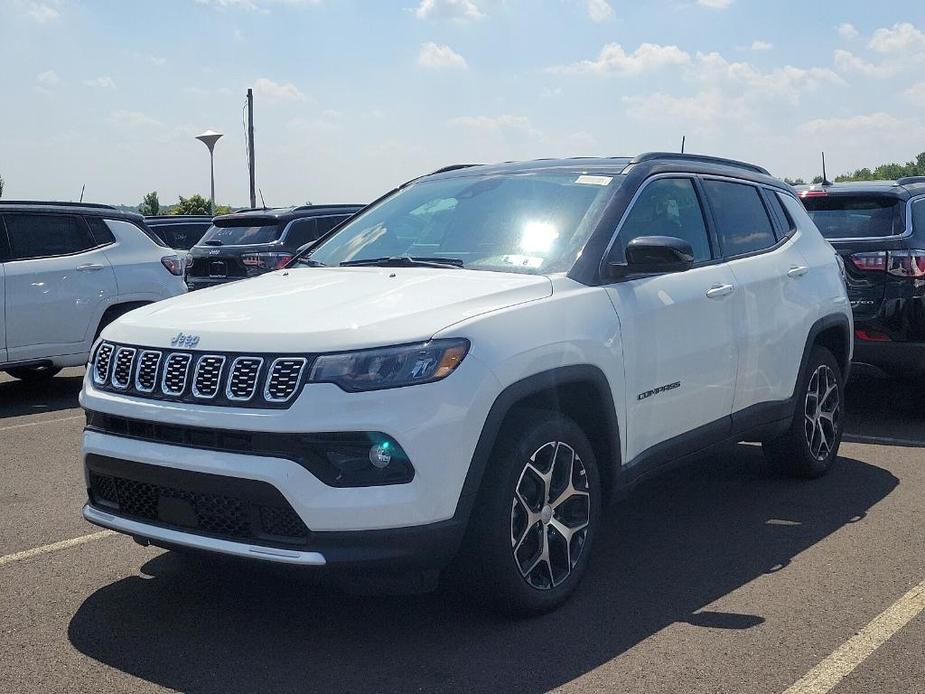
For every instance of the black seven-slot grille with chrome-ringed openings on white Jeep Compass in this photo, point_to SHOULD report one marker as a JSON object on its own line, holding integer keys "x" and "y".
{"x": 225, "y": 379}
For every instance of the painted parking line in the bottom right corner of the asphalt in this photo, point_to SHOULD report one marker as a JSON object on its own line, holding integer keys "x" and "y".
{"x": 827, "y": 674}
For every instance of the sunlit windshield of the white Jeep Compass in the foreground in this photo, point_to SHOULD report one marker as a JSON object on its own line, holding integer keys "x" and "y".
{"x": 533, "y": 223}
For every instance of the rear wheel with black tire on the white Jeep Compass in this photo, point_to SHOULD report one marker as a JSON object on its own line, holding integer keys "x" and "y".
{"x": 809, "y": 448}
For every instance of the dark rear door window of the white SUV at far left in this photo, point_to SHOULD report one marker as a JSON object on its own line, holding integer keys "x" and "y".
{"x": 46, "y": 235}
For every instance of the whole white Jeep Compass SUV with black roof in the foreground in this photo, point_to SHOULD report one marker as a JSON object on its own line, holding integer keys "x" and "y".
{"x": 472, "y": 366}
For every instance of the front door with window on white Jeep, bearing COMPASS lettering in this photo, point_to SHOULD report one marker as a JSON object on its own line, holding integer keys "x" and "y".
{"x": 678, "y": 332}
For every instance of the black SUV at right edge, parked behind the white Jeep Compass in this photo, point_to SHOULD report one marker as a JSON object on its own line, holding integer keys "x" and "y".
{"x": 878, "y": 228}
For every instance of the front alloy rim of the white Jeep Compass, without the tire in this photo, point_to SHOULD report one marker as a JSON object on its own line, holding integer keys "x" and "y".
{"x": 550, "y": 515}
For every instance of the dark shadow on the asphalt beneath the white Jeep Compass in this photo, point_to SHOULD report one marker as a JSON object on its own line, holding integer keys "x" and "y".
{"x": 672, "y": 548}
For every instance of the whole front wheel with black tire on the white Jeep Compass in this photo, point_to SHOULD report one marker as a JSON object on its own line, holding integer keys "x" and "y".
{"x": 523, "y": 560}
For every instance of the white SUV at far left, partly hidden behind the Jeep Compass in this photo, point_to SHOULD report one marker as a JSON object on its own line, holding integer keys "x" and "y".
{"x": 66, "y": 271}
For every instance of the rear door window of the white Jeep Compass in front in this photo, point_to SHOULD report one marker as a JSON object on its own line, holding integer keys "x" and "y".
{"x": 742, "y": 221}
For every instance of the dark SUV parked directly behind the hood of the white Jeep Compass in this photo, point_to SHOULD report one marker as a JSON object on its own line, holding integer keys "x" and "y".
{"x": 250, "y": 242}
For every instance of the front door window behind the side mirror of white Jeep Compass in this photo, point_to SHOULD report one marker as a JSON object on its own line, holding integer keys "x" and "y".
{"x": 668, "y": 207}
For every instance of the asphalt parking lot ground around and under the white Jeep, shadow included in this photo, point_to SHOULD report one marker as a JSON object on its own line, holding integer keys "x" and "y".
{"x": 720, "y": 577}
